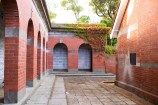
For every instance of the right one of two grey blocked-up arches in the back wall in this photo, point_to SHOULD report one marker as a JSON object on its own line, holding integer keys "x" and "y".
{"x": 85, "y": 58}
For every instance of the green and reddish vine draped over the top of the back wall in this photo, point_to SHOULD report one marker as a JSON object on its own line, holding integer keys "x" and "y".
{"x": 94, "y": 34}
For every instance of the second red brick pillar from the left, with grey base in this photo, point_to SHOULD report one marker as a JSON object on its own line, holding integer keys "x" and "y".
{"x": 31, "y": 68}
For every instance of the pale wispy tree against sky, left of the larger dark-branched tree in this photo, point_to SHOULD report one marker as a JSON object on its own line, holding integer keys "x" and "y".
{"x": 73, "y": 6}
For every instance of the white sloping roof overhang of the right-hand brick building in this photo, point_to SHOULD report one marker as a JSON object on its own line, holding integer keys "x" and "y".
{"x": 119, "y": 17}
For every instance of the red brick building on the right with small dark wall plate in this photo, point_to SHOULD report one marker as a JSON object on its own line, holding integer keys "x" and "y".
{"x": 136, "y": 27}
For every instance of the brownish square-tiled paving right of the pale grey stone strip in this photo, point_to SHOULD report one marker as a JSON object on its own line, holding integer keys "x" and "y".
{"x": 88, "y": 91}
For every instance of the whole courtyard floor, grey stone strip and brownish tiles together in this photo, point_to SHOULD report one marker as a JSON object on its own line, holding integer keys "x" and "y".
{"x": 82, "y": 90}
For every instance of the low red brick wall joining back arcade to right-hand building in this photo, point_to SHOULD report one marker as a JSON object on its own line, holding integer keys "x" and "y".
{"x": 111, "y": 64}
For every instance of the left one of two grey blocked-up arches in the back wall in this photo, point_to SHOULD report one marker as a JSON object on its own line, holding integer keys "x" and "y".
{"x": 60, "y": 57}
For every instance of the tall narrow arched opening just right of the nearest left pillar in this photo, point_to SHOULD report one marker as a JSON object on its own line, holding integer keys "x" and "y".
{"x": 30, "y": 55}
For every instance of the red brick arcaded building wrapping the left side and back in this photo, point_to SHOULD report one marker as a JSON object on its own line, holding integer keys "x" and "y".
{"x": 24, "y": 57}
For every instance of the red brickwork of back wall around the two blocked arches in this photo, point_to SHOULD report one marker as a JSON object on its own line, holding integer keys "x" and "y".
{"x": 73, "y": 44}
